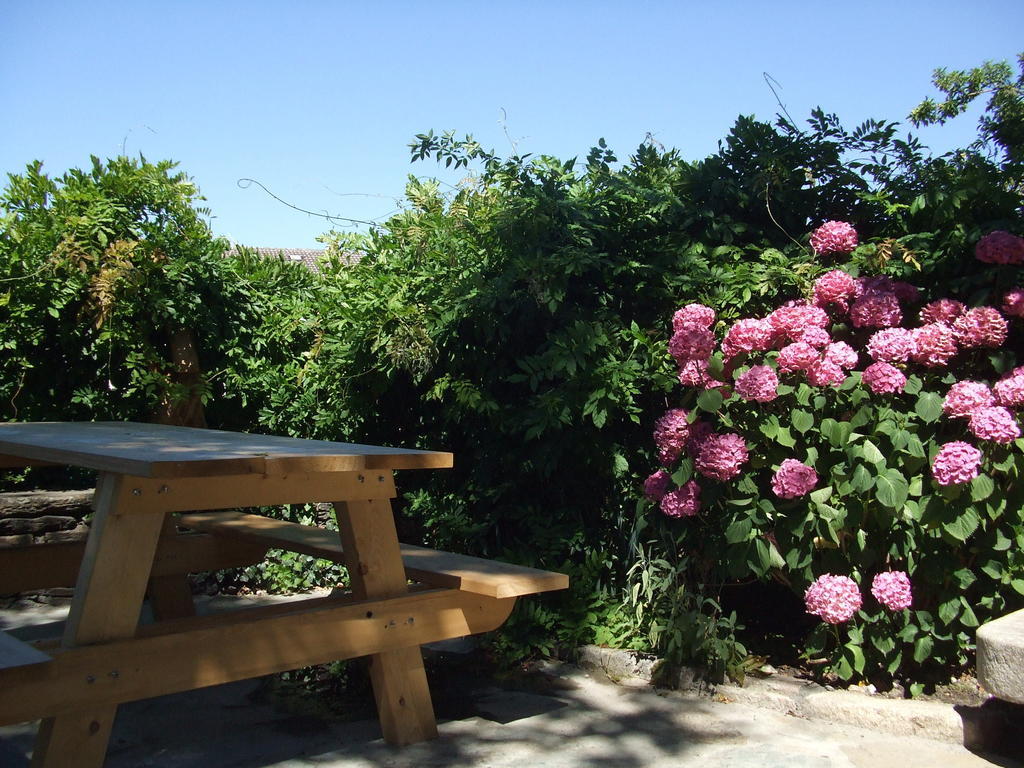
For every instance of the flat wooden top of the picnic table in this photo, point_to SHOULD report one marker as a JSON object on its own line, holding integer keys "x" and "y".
{"x": 160, "y": 451}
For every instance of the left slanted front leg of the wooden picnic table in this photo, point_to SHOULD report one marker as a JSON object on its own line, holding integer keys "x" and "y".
{"x": 107, "y": 605}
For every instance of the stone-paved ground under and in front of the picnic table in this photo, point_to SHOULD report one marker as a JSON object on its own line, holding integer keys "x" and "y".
{"x": 574, "y": 720}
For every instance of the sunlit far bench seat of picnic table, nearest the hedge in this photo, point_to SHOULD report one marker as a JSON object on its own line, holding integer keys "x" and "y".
{"x": 490, "y": 578}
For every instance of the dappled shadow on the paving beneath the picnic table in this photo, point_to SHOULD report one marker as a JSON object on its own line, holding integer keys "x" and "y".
{"x": 236, "y": 727}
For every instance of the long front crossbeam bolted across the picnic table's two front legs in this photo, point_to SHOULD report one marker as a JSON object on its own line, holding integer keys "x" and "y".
{"x": 260, "y": 642}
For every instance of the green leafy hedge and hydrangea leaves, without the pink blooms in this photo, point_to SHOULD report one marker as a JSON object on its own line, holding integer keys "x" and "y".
{"x": 521, "y": 322}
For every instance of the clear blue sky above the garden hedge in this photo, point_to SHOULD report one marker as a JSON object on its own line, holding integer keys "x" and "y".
{"x": 318, "y": 100}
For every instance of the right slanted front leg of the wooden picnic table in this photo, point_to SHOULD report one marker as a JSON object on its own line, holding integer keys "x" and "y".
{"x": 374, "y": 562}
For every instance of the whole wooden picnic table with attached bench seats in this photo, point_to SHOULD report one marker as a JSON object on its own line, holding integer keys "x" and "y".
{"x": 153, "y": 525}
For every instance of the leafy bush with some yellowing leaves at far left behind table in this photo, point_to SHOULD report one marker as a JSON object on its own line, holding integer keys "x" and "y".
{"x": 98, "y": 270}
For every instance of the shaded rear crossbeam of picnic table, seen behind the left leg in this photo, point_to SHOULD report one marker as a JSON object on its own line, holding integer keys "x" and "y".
{"x": 48, "y": 566}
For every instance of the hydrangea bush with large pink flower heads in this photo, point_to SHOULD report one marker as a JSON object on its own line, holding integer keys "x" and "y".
{"x": 863, "y": 447}
